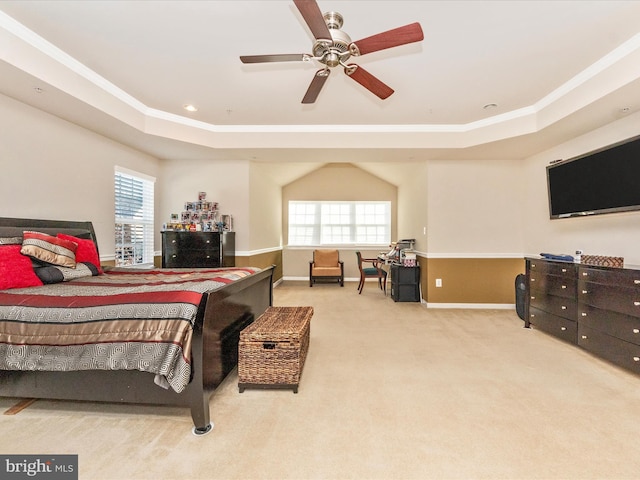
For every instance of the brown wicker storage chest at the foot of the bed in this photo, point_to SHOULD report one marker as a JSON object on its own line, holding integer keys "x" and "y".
{"x": 273, "y": 349}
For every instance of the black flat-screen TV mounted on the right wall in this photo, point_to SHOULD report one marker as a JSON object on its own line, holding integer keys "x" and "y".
{"x": 603, "y": 181}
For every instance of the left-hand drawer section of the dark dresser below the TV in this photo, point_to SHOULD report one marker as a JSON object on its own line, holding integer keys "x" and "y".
{"x": 552, "y": 306}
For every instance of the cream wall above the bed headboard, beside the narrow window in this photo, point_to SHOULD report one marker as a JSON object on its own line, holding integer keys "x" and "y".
{"x": 53, "y": 169}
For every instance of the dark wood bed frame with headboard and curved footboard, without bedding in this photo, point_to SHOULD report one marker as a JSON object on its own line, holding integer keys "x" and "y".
{"x": 222, "y": 314}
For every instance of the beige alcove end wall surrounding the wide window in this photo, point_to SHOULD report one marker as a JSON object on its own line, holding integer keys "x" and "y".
{"x": 335, "y": 181}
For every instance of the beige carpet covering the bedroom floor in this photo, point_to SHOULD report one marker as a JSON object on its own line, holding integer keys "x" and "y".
{"x": 389, "y": 391}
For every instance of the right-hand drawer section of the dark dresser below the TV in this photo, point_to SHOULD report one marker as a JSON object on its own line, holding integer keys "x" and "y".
{"x": 609, "y": 314}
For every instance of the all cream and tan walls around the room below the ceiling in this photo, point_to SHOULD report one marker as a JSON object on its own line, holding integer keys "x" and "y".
{"x": 481, "y": 215}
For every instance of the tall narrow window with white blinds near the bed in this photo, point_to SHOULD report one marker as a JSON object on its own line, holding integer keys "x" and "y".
{"x": 134, "y": 218}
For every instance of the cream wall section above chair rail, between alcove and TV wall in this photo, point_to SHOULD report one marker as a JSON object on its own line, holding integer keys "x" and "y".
{"x": 475, "y": 207}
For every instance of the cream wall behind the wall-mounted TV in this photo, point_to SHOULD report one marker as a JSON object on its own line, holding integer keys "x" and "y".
{"x": 613, "y": 234}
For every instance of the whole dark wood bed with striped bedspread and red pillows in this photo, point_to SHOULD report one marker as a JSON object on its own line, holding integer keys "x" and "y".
{"x": 158, "y": 336}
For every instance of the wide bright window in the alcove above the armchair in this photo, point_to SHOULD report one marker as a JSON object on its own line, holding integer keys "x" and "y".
{"x": 339, "y": 223}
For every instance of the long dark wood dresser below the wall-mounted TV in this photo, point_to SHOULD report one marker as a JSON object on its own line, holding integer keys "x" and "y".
{"x": 596, "y": 308}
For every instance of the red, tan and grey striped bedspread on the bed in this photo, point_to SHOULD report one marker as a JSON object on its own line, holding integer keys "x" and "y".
{"x": 123, "y": 320}
